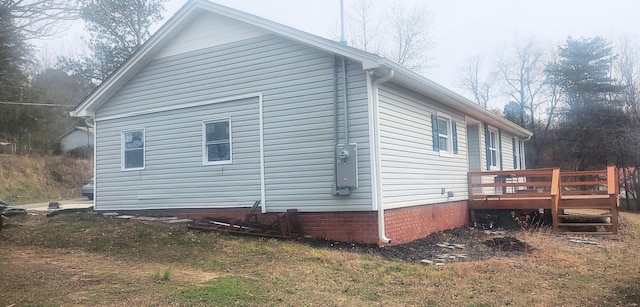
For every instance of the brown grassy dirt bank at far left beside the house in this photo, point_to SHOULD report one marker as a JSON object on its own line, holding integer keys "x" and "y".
{"x": 34, "y": 179}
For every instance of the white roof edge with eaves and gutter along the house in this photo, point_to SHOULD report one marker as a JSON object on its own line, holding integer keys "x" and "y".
{"x": 401, "y": 75}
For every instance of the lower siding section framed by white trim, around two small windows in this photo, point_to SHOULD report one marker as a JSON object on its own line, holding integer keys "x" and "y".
{"x": 174, "y": 173}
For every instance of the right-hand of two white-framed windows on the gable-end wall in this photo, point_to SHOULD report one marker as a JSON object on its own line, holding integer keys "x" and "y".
{"x": 217, "y": 141}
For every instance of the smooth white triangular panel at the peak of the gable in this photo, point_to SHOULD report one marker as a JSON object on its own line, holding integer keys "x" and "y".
{"x": 209, "y": 30}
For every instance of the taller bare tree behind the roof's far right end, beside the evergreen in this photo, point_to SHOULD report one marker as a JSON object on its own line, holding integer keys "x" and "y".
{"x": 521, "y": 70}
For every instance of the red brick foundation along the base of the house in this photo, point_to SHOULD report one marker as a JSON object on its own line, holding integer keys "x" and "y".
{"x": 402, "y": 225}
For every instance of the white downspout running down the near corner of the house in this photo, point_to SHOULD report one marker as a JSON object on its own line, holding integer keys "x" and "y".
{"x": 381, "y": 230}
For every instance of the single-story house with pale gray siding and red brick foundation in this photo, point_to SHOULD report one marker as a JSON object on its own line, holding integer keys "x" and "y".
{"x": 221, "y": 108}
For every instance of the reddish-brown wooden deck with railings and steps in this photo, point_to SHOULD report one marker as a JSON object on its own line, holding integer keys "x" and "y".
{"x": 584, "y": 201}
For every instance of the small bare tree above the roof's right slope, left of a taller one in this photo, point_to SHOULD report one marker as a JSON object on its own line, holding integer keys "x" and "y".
{"x": 477, "y": 82}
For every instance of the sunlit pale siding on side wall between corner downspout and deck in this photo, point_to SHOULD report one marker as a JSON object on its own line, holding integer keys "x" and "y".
{"x": 412, "y": 172}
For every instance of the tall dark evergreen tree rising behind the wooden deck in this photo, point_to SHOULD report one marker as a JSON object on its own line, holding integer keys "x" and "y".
{"x": 592, "y": 115}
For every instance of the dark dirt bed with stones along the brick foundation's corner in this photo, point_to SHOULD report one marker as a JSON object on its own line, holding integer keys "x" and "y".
{"x": 475, "y": 244}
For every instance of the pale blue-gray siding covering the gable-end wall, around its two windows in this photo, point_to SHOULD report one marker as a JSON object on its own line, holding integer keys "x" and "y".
{"x": 296, "y": 83}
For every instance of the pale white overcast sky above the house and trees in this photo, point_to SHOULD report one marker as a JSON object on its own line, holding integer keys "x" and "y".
{"x": 461, "y": 28}
